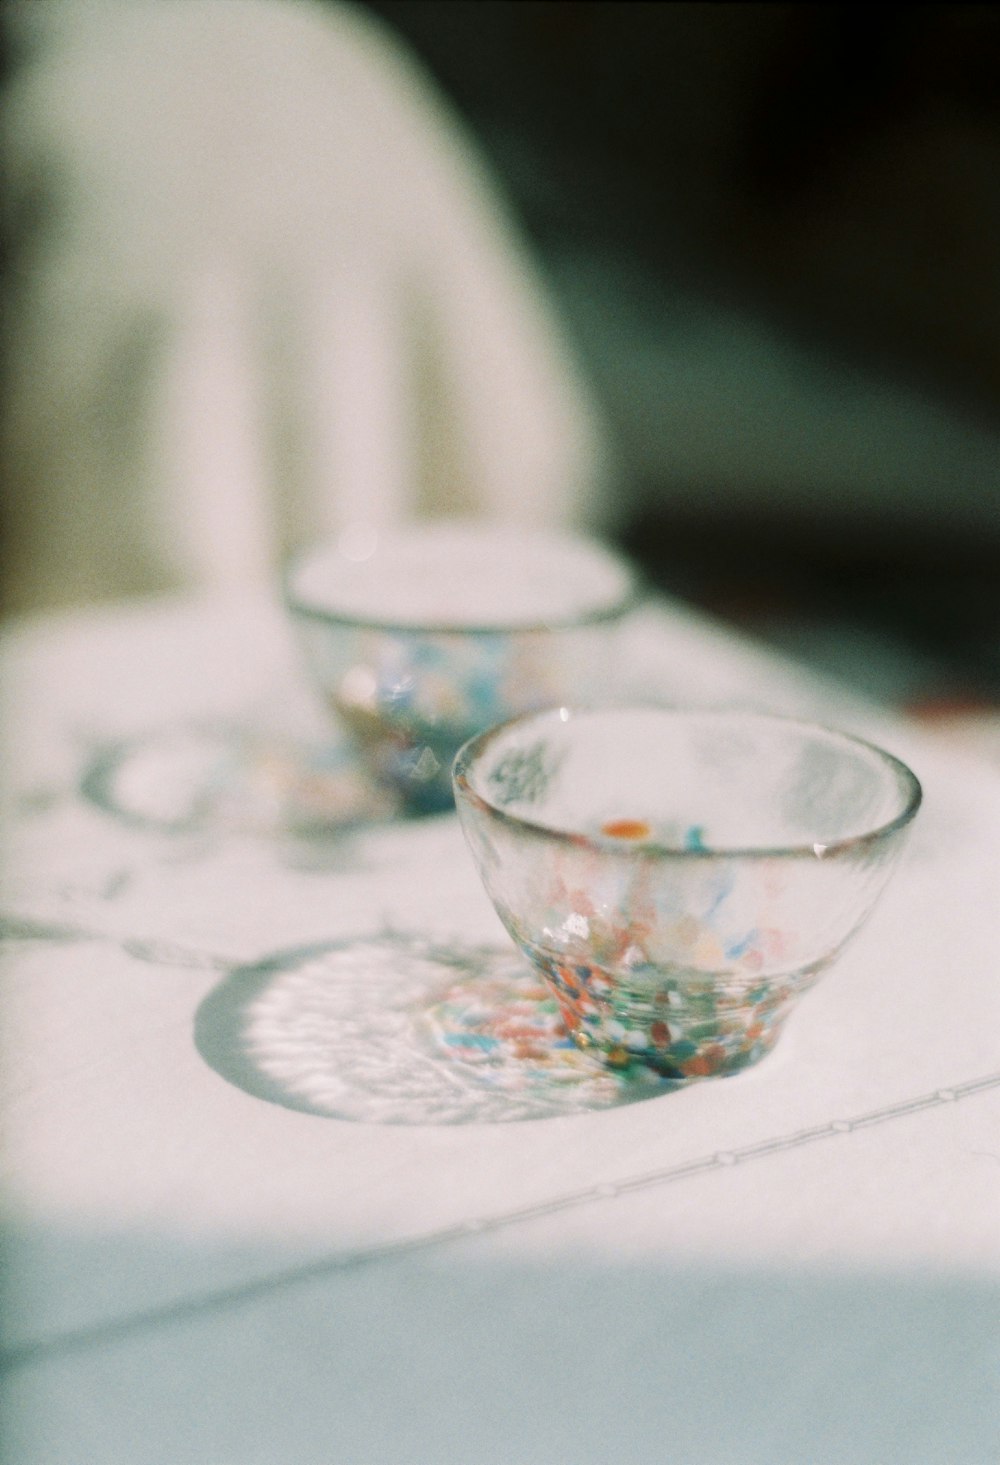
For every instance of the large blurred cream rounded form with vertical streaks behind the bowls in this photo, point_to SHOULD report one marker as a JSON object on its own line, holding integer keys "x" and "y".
{"x": 269, "y": 292}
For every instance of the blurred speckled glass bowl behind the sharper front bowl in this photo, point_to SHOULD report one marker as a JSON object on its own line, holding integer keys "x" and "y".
{"x": 421, "y": 637}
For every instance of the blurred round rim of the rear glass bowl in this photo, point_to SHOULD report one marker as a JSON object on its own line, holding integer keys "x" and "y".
{"x": 616, "y": 610}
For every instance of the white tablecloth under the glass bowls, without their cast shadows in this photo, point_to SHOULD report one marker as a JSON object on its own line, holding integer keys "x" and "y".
{"x": 802, "y": 1264}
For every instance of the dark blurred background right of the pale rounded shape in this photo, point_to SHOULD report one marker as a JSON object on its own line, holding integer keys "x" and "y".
{"x": 774, "y": 235}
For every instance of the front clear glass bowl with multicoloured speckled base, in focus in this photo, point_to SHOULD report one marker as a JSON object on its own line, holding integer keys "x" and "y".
{"x": 680, "y": 878}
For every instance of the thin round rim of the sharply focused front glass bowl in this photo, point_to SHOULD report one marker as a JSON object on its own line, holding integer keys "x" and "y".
{"x": 911, "y": 789}
